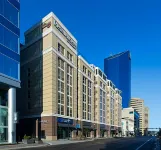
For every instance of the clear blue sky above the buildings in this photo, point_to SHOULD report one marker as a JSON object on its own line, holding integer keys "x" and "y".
{"x": 104, "y": 27}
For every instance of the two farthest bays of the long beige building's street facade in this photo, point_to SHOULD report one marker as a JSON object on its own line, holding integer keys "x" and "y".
{"x": 114, "y": 108}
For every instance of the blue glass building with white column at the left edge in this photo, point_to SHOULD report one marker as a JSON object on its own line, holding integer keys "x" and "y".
{"x": 9, "y": 68}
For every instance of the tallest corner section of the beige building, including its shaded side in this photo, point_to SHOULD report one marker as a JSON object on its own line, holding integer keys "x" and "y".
{"x": 49, "y": 81}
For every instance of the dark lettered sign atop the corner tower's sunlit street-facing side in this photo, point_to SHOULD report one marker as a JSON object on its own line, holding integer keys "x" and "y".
{"x": 65, "y": 34}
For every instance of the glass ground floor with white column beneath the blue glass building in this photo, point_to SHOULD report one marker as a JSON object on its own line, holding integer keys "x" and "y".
{"x": 8, "y": 115}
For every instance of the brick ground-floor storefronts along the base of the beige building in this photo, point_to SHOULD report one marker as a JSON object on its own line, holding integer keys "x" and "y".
{"x": 54, "y": 128}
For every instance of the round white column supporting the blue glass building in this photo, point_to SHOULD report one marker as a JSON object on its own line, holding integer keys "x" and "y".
{"x": 11, "y": 111}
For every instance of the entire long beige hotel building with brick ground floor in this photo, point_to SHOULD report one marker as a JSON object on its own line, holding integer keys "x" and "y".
{"x": 61, "y": 92}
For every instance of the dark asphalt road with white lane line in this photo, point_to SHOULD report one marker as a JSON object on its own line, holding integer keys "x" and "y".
{"x": 139, "y": 143}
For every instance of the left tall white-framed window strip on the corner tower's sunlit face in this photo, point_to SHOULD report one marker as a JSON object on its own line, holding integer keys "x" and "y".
{"x": 60, "y": 86}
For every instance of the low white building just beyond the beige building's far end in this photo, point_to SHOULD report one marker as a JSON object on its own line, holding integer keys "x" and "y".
{"x": 132, "y": 115}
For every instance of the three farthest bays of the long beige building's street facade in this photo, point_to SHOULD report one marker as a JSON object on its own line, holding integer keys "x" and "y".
{"x": 108, "y": 105}
